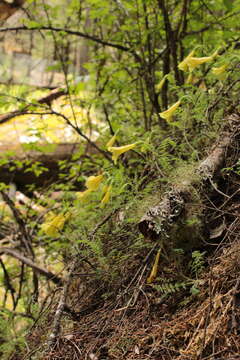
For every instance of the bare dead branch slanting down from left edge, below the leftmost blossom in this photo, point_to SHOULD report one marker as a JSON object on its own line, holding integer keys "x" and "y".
{"x": 48, "y": 274}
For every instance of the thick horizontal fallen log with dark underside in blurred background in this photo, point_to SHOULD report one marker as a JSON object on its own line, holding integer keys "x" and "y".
{"x": 16, "y": 161}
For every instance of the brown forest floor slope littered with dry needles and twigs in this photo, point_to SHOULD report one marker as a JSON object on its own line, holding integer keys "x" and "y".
{"x": 191, "y": 312}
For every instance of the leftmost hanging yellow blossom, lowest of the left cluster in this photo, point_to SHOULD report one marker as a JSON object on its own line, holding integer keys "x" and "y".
{"x": 55, "y": 224}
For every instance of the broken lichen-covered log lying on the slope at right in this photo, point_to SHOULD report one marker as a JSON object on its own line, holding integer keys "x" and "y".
{"x": 160, "y": 219}
